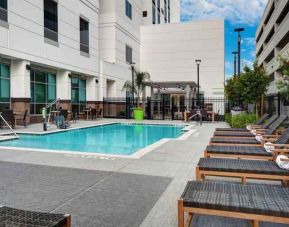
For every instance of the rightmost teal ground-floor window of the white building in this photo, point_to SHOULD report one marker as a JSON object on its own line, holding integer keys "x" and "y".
{"x": 78, "y": 94}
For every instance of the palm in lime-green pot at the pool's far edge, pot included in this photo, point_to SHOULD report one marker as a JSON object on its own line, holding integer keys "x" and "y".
{"x": 139, "y": 86}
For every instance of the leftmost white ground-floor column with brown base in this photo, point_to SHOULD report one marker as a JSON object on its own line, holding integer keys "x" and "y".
{"x": 20, "y": 87}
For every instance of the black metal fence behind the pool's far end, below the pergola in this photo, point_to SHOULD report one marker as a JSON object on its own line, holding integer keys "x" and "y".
{"x": 163, "y": 108}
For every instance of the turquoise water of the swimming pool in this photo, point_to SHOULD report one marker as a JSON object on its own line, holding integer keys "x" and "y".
{"x": 108, "y": 139}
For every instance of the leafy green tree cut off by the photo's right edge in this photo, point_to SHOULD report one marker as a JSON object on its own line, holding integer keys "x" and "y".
{"x": 283, "y": 82}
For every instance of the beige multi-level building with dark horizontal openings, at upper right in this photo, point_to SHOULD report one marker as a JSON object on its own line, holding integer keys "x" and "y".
{"x": 272, "y": 39}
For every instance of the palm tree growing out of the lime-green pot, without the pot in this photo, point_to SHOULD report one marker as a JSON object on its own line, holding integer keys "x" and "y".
{"x": 139, "y": 84}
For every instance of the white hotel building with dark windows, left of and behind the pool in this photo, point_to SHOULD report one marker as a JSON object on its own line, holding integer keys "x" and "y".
{"x": 80, "y": 50}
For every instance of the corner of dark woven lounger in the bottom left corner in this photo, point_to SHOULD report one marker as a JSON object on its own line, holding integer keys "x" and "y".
{"x": 15, "y": 217}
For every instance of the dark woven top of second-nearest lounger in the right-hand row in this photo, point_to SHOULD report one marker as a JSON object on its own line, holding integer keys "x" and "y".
{"x": 241, "y": 166}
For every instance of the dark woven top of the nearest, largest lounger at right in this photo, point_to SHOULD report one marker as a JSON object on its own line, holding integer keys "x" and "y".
{"x": 252, "y": 199}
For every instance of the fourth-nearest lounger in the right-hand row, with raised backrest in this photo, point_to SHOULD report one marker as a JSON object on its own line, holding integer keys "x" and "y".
{"x": 248, "y": 141}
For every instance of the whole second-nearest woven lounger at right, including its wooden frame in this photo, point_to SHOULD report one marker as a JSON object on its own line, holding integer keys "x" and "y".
{"x": 244, "y": 169}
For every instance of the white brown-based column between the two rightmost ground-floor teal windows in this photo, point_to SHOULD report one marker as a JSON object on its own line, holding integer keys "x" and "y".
{"x": 63, "y": 88}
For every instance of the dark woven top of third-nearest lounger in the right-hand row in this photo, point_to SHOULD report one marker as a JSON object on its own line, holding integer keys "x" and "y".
{"x": 238, "y": 150}
